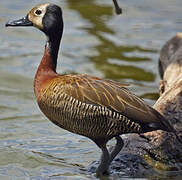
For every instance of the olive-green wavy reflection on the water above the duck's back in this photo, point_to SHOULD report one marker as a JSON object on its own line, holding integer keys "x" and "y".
{"x": 97, "y": 15}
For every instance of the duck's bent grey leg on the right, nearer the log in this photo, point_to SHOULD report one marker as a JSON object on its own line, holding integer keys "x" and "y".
{"x": 117, "y": 148}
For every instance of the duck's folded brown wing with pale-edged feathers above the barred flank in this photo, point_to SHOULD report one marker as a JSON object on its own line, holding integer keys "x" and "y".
{"x": 113, "y": 95}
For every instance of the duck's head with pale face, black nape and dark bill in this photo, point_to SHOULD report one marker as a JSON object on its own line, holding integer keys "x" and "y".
{"x": 46, "y": 17}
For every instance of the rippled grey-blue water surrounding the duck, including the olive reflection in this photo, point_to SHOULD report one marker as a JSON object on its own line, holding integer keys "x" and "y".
{"x": 95, "y": 41}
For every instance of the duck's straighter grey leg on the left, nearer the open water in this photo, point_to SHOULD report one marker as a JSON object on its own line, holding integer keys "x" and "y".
{"x": 104, "y": 164}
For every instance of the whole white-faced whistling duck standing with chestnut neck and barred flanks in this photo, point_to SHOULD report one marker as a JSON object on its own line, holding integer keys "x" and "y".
{"x": 86, "y": 105}
